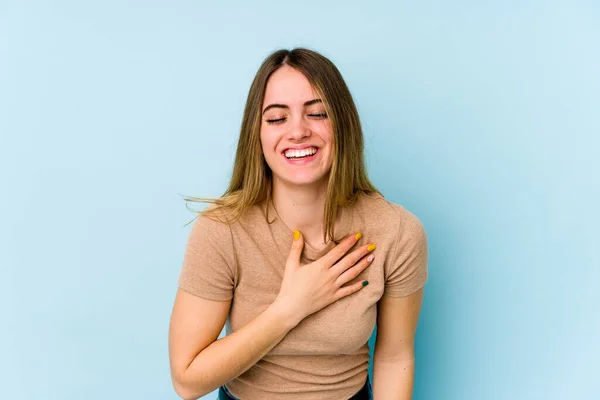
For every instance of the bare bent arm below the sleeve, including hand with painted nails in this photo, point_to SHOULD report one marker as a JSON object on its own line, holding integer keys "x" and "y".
{"x": 200, "y": 363}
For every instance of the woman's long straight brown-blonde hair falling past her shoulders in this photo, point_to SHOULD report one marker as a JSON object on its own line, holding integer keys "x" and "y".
{"x": 251, "y": 178}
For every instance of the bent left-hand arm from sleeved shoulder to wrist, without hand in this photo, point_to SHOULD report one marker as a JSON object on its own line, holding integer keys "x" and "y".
{"x": 199, "y": 362}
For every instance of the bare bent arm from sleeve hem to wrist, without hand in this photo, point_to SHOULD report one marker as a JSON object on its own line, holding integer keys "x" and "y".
{"x": 199, "y": 362}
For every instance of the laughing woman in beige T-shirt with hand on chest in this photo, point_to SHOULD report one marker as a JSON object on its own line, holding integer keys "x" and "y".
{"x": 285, "y": 256}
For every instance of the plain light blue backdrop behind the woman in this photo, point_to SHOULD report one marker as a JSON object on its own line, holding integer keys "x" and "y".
{"x": 482, "y": 118}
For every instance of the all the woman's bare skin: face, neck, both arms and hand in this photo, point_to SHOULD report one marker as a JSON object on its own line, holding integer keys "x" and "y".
{"x": 199, "y": 362}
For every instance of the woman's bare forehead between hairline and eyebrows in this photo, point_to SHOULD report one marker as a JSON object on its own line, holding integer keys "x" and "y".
{"x": 288, "y": 86}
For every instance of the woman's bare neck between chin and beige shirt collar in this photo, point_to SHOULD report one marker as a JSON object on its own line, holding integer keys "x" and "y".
{"x": 302, "y": 208}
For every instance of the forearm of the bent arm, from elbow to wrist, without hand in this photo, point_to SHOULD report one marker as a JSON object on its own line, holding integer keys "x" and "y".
{"x": 229, "y": 357}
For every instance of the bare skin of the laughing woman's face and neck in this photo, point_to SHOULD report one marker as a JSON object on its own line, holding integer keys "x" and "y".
{"x": 298, "y": 190}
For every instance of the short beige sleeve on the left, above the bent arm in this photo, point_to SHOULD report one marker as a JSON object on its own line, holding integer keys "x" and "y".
{"x": 208, "y": 269}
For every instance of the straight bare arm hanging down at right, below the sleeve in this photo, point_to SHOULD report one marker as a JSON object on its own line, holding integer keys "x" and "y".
{"x": 393, "y": 368}
